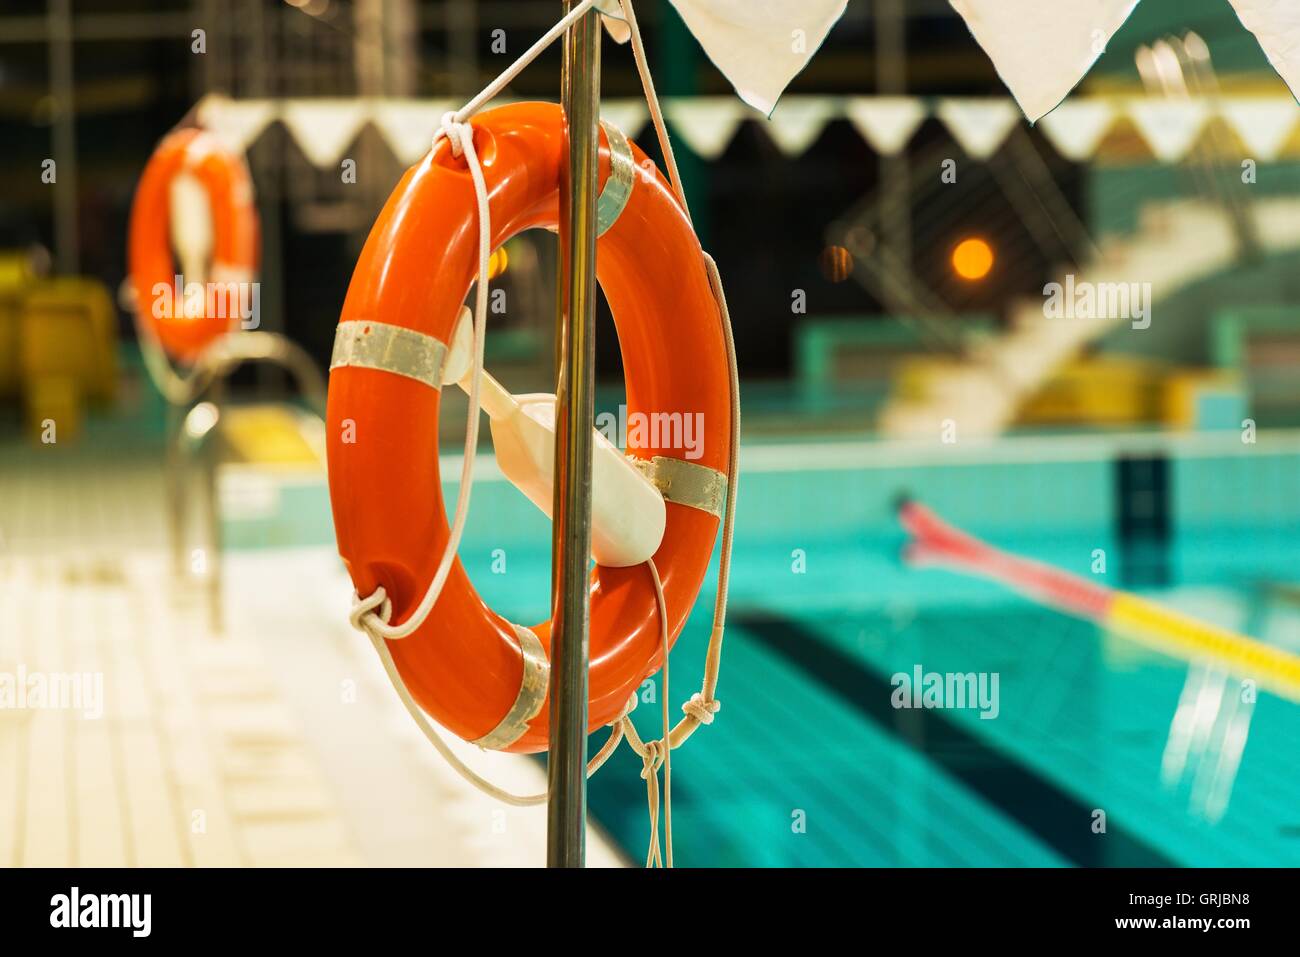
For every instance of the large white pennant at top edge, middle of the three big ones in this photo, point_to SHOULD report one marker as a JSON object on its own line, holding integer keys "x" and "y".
{"x": 1043, "y": 49}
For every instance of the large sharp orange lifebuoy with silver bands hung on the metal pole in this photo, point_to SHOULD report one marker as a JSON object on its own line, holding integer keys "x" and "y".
{"x": 474, "y": 672}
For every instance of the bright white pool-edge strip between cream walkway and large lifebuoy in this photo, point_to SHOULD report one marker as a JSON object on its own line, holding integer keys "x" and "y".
{"x": 414, "y": 808}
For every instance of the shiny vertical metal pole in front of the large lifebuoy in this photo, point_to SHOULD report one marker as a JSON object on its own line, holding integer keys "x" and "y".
{"x": 571, "y": 535}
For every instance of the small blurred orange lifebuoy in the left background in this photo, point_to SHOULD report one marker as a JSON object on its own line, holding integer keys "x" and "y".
{"x": 185, "y": 326}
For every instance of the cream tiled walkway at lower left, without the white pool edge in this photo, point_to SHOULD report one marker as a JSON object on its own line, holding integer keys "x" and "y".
{"x": 197, "y": 759}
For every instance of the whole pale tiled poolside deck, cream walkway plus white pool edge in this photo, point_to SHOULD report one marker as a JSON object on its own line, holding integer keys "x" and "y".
{"x": 278, "y": 743}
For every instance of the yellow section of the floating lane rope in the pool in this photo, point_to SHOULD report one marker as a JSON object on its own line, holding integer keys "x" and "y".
{"x": 1272, "y": 668}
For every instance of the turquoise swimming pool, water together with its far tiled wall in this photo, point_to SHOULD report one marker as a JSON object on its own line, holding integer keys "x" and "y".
{"x": 811, "y": 764}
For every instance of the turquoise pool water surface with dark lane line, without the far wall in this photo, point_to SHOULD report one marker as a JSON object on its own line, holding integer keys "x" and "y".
{"x": 811, "y": 765}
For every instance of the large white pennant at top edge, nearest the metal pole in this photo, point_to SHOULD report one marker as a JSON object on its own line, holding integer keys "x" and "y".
{"x": 761, "y": 45}
